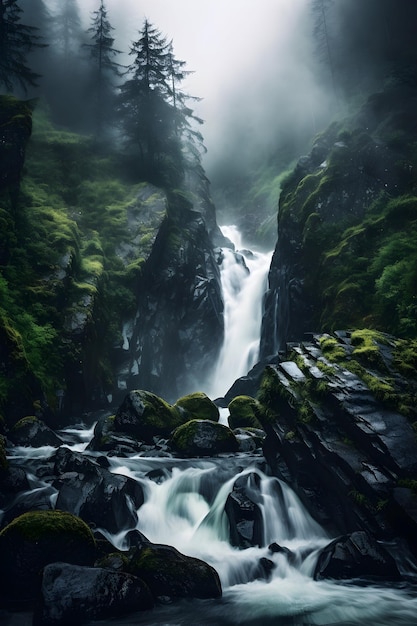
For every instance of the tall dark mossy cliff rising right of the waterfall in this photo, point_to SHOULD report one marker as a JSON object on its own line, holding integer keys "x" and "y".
{"x": 342, "y": 209}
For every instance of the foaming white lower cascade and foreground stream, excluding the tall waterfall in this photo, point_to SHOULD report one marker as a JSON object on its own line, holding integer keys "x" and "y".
{"x": 187, "y": 510}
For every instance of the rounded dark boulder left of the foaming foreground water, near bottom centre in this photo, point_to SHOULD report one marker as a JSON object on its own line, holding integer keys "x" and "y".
{"x": 168, "y": 573}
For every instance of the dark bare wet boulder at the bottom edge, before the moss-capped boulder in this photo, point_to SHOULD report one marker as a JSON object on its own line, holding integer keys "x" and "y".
{"x": 71, "y": 594}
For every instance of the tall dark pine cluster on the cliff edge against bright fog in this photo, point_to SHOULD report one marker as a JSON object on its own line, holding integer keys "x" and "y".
{"x": 153, "y": 109}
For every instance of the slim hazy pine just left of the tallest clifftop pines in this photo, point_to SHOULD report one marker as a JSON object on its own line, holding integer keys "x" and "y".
{"x": 104, "y": 65}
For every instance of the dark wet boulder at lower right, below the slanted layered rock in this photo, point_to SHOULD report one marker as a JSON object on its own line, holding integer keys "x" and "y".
{"x": 357, "y": 555}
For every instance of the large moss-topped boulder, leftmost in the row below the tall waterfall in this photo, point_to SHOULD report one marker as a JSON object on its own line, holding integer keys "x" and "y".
{"x": 145, "y": 415}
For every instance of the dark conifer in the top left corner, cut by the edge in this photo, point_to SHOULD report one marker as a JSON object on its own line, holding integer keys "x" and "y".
{"x": 16, "y": 42}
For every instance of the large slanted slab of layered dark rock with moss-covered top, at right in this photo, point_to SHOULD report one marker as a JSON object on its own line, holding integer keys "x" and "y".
{"x": 340, "y": 430}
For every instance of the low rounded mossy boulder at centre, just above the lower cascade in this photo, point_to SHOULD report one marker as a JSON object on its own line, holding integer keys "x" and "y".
{"x": 203, "y": 438}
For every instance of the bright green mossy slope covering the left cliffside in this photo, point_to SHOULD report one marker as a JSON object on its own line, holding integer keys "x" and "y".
{"x": 60, "y": 259}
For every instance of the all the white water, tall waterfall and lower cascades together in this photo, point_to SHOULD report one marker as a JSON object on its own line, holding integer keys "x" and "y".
{"x": 184, "y": 508}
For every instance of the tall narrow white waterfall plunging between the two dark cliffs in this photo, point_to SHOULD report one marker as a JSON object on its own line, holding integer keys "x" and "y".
{"x": 244, "y": 281}
